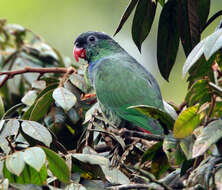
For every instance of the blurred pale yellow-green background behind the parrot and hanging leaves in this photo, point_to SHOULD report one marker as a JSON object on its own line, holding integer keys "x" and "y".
{"x": 60, "y": 22}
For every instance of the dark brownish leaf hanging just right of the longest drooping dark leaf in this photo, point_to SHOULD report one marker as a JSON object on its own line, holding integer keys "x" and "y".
{"x": 189, "y": 24}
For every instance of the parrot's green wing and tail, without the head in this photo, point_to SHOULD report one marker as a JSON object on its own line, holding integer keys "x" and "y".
{"x": 121, "y": 83}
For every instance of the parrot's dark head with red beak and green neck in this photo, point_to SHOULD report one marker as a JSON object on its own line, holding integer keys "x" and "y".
{"x": 93, "y": 45}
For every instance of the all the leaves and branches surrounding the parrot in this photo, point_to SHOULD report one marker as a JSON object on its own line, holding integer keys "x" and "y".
{"x": 55, "y": 135}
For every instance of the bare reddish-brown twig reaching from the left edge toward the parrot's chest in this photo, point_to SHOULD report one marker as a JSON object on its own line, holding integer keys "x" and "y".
{"x": 41, "y": 71}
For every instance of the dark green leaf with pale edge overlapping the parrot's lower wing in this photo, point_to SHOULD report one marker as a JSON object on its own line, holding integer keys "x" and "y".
{"x": 155, "y": 113}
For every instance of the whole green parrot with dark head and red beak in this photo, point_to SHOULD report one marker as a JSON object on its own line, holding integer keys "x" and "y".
{"x": 118, "y": 79}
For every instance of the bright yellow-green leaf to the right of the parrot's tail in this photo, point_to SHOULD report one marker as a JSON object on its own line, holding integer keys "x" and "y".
{"x": 187, "y": 121}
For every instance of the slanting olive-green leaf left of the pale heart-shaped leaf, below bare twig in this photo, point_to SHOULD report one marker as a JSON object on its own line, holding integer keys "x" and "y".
{"x": 41, "y": 106}
